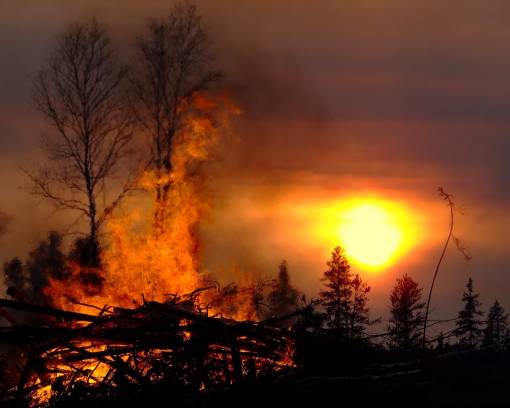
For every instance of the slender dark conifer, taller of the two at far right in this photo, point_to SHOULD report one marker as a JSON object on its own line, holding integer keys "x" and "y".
{"x": 469, "y": 325}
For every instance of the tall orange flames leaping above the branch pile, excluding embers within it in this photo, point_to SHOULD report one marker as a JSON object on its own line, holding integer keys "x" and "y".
{"x": 152, "y": 247}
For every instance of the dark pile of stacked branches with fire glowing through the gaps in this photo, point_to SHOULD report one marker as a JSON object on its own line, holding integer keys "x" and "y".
{"x": 156, "y": 343}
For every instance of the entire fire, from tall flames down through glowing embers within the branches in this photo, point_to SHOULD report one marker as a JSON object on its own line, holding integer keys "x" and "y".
{"x": 151, "y": 277}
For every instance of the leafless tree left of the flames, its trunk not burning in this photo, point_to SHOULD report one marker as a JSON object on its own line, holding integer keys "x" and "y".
{"x": 81, "y": 94}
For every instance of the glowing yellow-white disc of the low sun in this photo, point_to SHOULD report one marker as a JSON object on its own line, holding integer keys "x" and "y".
{"x": 373, "y": 233}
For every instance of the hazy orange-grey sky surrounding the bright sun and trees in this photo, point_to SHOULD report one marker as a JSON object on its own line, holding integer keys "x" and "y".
{"x": 339, "y": 98}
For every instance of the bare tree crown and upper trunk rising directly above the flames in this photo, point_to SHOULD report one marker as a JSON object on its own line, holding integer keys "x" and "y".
{"x": 173, "y": 64}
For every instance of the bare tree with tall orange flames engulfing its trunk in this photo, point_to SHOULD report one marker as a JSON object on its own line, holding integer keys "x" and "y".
{"x": 153, "y": 238}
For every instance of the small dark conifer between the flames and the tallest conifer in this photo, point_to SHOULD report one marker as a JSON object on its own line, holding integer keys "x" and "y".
{"x": 283, "y": 298}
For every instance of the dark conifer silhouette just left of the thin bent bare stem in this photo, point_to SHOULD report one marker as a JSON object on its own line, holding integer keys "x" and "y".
{"x": 406, "y": 311}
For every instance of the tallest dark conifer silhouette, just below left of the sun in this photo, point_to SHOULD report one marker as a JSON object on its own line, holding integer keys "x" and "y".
{"x": 344, "y": 298}
